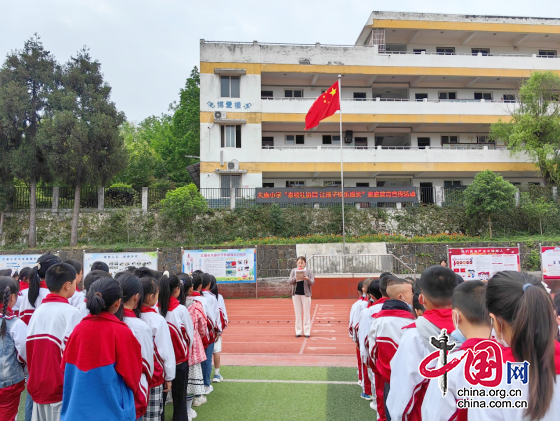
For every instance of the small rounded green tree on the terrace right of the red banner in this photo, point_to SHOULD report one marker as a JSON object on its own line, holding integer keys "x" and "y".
{"x": 488, "y": 195}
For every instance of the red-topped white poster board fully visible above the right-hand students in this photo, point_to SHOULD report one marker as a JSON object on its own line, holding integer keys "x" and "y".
{"x": 482, "y": 263}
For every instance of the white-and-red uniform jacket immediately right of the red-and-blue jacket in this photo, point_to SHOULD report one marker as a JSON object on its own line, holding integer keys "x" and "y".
{"x": 143, "y": 334}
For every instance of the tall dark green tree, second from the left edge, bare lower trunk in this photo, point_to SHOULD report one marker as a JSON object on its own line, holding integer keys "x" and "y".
{"x": 81, "y": 138}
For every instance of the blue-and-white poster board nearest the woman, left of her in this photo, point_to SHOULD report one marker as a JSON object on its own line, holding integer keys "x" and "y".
{"x": 228, "y": 266}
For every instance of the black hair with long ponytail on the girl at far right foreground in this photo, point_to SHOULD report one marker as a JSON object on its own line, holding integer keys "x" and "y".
{"x": 522, "y": 301}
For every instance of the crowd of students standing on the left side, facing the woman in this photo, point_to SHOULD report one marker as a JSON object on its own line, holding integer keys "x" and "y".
{"x": 119, "y": 349}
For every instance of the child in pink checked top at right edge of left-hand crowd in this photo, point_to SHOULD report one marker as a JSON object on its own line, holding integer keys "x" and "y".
{"x": 195, "y": 389}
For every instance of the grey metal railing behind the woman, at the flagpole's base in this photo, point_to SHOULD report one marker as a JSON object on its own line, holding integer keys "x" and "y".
{"x": 359, "y": 263}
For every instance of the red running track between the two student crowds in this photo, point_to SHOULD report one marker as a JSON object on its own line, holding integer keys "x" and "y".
{"x": 262, "y": 332}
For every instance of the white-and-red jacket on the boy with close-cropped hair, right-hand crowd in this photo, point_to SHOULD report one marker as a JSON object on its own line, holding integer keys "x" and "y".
{"x": 385, "y": 333}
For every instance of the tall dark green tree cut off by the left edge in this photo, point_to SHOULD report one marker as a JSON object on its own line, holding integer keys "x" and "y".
{"x": 27, "y": 80}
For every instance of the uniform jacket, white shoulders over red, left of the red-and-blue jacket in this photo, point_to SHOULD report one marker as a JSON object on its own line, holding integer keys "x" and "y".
{"x": 47, "y": 335}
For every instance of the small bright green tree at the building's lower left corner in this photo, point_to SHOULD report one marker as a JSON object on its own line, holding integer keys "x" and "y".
{"x": 180, "y": 208}
